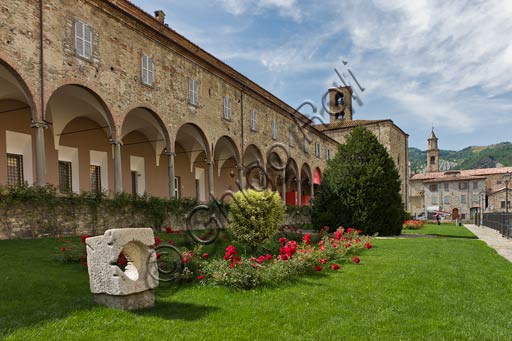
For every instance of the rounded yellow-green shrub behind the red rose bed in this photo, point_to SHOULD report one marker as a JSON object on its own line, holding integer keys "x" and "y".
{"x": 255, "y": 216}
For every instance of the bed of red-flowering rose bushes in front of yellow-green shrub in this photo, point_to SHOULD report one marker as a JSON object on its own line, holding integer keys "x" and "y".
{"x": 292, "y": 260}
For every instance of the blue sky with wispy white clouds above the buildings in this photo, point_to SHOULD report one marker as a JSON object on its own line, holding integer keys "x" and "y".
{"x": 447, "y": 63}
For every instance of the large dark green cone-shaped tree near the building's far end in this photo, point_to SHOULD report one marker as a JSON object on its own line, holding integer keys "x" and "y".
{"x": 360, "y": 188}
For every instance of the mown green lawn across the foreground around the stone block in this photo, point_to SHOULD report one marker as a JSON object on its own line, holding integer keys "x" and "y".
{"x": 438, "y": 288}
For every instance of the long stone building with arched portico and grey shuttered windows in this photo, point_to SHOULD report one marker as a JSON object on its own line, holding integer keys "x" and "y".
{"x": 99, "y": 95}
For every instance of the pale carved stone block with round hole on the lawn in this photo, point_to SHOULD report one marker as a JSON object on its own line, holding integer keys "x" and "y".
{"x": 131, "y": 288}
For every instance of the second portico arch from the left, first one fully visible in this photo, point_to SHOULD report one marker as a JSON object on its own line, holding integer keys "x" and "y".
{"x": 83, "y": 134}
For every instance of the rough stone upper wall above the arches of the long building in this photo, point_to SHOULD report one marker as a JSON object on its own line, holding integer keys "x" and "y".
{"x": 114, "y": 74}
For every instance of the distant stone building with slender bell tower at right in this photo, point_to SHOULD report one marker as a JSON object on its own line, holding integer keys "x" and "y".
{"x": 455, "y": 192}
